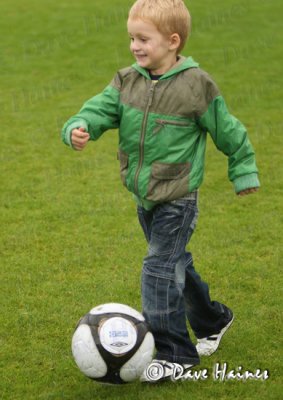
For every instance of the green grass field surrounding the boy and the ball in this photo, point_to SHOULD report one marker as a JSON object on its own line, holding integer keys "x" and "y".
{"x": 69, "y": 234}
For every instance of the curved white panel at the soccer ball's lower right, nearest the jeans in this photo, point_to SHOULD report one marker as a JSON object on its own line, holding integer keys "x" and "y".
{"x": 133, "y": 368}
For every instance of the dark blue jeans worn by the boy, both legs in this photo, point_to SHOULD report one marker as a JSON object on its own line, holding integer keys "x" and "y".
{"x": 172, "y": 291}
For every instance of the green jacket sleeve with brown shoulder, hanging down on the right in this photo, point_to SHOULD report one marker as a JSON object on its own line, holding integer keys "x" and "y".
{"x": 229, "y": 136}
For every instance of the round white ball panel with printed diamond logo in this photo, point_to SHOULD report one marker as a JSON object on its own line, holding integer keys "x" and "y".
{"x": 117, "y": 335}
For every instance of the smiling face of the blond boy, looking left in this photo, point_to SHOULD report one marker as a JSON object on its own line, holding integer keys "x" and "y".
{"x": 151, "y": 49}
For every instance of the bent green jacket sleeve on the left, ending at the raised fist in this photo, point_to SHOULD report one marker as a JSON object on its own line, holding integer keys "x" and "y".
{"x": 97, "y": 115}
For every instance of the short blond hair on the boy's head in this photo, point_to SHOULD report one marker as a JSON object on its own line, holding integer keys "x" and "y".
{"x": 169, "y": 16}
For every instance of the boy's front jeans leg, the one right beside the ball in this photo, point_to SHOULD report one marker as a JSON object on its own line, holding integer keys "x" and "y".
{"x": 167, "y": 229}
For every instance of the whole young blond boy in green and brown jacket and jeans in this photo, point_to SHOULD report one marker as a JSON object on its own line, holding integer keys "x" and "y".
{"x": 164, "y": 105}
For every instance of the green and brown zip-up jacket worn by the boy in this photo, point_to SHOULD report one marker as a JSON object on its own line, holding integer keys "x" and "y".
{"x": 162, "y": 131}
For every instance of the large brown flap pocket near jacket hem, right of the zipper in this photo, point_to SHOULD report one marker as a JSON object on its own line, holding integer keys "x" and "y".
{"x": 168, "y": 181}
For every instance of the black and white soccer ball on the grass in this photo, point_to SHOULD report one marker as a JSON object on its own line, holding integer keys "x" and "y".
{"x": 112, "y": 344}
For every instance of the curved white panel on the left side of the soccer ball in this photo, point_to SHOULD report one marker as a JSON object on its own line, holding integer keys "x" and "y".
{"x": 86, "y": 354}
